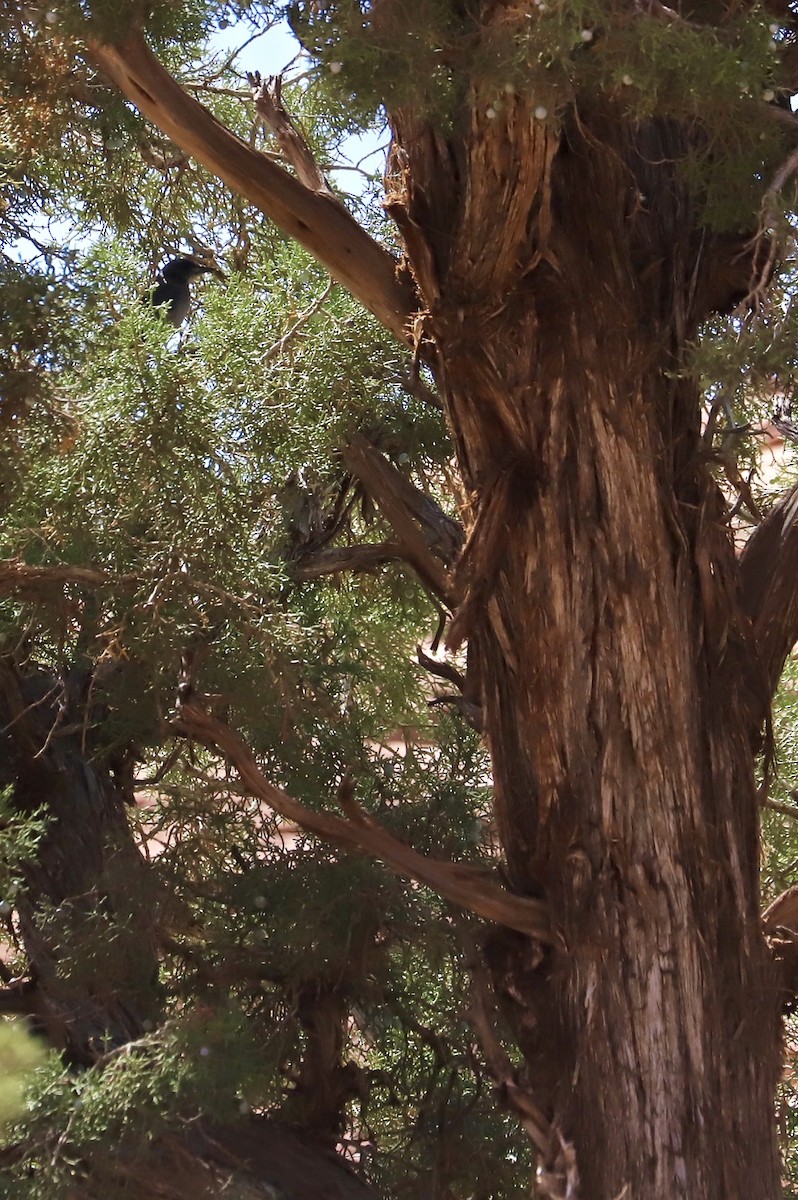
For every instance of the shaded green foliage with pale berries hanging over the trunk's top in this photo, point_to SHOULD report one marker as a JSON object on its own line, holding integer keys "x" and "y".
{"x": 440, "y": 58}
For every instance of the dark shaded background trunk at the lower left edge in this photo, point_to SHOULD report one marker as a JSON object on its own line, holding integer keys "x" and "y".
{"x": 87, "y": 911}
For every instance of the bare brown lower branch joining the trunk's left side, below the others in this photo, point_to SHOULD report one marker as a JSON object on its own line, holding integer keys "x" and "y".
{"x": 460, "y": 884}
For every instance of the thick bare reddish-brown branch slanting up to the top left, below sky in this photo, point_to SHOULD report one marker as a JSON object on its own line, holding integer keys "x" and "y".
{"x": 319, "y": 224}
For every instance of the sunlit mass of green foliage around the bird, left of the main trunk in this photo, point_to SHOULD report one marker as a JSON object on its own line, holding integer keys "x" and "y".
{"x": 190, "y": 472}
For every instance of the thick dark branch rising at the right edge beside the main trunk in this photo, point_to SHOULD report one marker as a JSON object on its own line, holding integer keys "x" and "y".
{"x": 770, "y": 596}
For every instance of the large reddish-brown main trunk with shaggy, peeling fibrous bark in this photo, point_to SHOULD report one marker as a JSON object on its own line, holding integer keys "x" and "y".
{"x": 563, "y": 273}
